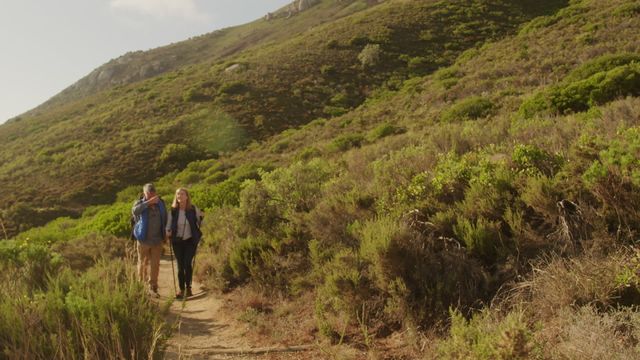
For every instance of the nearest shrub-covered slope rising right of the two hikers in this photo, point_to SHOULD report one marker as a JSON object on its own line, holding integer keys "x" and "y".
{"x": 486, "y": 210}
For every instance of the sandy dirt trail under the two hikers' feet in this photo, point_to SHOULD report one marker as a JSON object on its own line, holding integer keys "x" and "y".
{"x": 204, "y": 331}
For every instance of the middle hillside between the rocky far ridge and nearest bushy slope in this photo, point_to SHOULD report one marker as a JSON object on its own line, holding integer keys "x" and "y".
{"x": 81, "y": 152}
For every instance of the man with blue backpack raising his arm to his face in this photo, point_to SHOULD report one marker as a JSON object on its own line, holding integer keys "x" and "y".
{"x": 151, "y": 215}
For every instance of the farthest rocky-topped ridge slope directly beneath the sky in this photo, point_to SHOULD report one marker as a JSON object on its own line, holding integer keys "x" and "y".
{"x": 139, "y": 65}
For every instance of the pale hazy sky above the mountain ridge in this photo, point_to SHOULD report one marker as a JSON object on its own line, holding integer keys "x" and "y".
{"x": 46, "y": 45}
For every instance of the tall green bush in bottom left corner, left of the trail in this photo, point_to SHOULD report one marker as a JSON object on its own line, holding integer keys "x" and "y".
{"x": 102, "y": 314}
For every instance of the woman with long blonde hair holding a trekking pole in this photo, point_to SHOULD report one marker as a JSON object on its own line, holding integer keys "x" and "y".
{"x": 183, "y": 228}
